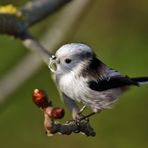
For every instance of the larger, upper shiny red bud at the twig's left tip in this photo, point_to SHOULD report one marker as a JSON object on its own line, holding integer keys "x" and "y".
{"x": 40, "y": 98}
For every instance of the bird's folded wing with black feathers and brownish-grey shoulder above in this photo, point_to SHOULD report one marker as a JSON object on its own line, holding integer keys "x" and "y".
{"x": 102, "y": 78}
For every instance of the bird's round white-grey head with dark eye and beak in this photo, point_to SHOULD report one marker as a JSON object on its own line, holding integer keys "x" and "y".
{"x": 70, "y": 57}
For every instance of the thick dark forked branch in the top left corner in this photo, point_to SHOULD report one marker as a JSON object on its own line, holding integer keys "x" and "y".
{"x": 30, "y": 14}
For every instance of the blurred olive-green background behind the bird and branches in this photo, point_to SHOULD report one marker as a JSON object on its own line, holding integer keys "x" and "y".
{"x": 118, "y": 32}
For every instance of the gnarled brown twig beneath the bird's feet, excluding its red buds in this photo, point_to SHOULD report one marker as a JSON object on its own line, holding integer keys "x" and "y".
{"x": 53, "y": 127}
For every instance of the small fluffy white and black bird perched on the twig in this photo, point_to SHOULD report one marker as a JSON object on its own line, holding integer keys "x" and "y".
{"x": 82, "y": 77}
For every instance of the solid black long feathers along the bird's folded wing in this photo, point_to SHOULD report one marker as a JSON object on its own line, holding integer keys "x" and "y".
{"x": 110, "y": 83}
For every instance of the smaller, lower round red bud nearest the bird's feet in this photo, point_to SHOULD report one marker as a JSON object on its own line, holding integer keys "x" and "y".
{"x": 57, "y": 113}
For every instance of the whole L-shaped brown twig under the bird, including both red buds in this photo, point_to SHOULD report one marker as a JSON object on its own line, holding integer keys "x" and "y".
{"x": 51, "y": 127}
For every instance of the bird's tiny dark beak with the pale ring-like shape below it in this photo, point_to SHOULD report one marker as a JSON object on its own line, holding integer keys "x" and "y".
{"x": 52, "y": 64}
